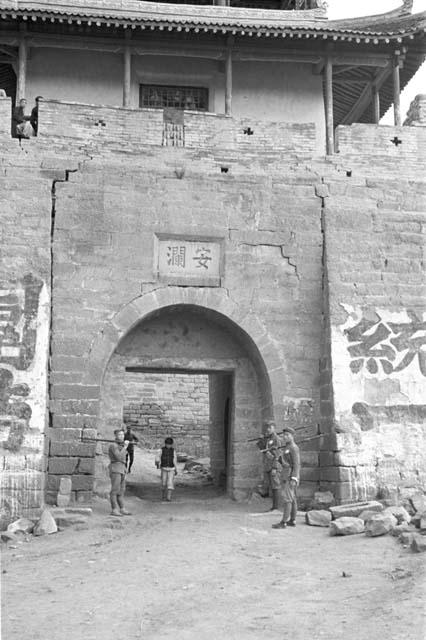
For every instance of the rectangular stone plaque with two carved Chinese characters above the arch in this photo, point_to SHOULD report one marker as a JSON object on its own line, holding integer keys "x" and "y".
{"x": 197, "y": 260}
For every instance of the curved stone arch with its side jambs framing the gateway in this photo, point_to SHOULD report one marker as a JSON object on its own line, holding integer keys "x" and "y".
{"x": 251, "y": 362}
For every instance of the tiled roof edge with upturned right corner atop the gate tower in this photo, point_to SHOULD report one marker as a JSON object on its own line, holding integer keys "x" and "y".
{"x": 392, "y": 25}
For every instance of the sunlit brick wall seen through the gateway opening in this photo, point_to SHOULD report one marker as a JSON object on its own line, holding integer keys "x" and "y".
{"x": 158, "y": 405}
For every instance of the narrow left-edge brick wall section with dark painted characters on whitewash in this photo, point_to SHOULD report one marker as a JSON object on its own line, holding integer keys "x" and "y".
{"x": 25, "y": 204}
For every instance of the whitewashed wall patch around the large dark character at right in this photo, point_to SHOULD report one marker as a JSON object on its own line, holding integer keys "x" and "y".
{"x": 390, "y": 454}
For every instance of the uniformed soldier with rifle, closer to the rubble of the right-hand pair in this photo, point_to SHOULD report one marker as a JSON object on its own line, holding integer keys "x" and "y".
{"x": 290, "y": 460}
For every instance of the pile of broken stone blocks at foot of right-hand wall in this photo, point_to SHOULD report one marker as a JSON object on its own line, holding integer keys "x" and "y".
{"x": 406, "y": 523}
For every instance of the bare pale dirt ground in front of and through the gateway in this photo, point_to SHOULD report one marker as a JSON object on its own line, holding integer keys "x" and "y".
{"x": 206, "y": 568}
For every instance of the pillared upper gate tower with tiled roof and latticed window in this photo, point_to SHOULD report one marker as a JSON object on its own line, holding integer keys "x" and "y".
{"x": 266, "y": 64}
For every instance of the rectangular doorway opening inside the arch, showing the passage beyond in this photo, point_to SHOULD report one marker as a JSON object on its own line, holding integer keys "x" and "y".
{"x": 194, "y": 408}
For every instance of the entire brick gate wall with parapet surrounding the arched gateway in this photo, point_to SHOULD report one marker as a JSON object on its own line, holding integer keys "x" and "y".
{"x": 313, "y": 311}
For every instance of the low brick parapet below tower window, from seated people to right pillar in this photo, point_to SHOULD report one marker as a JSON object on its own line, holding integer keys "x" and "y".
{"x": 103, "y": 130}
